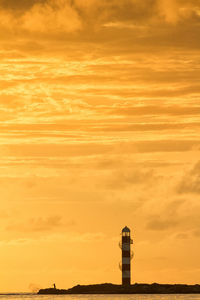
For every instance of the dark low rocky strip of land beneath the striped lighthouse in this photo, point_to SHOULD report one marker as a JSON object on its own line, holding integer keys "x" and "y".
{"x": 137, "y": 288}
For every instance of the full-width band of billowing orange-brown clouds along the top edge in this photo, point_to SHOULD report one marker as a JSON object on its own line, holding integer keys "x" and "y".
{"x": 52, "y": 17}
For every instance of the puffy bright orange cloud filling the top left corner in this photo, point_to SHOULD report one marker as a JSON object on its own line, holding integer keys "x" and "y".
{"x": 49, "y": 17}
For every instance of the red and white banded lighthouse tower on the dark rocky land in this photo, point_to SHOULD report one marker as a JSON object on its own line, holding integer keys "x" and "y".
{"x": 126, "y": 256}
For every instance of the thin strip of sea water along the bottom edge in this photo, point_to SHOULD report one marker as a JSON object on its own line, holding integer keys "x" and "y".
{"x": 101, "y": 297}
